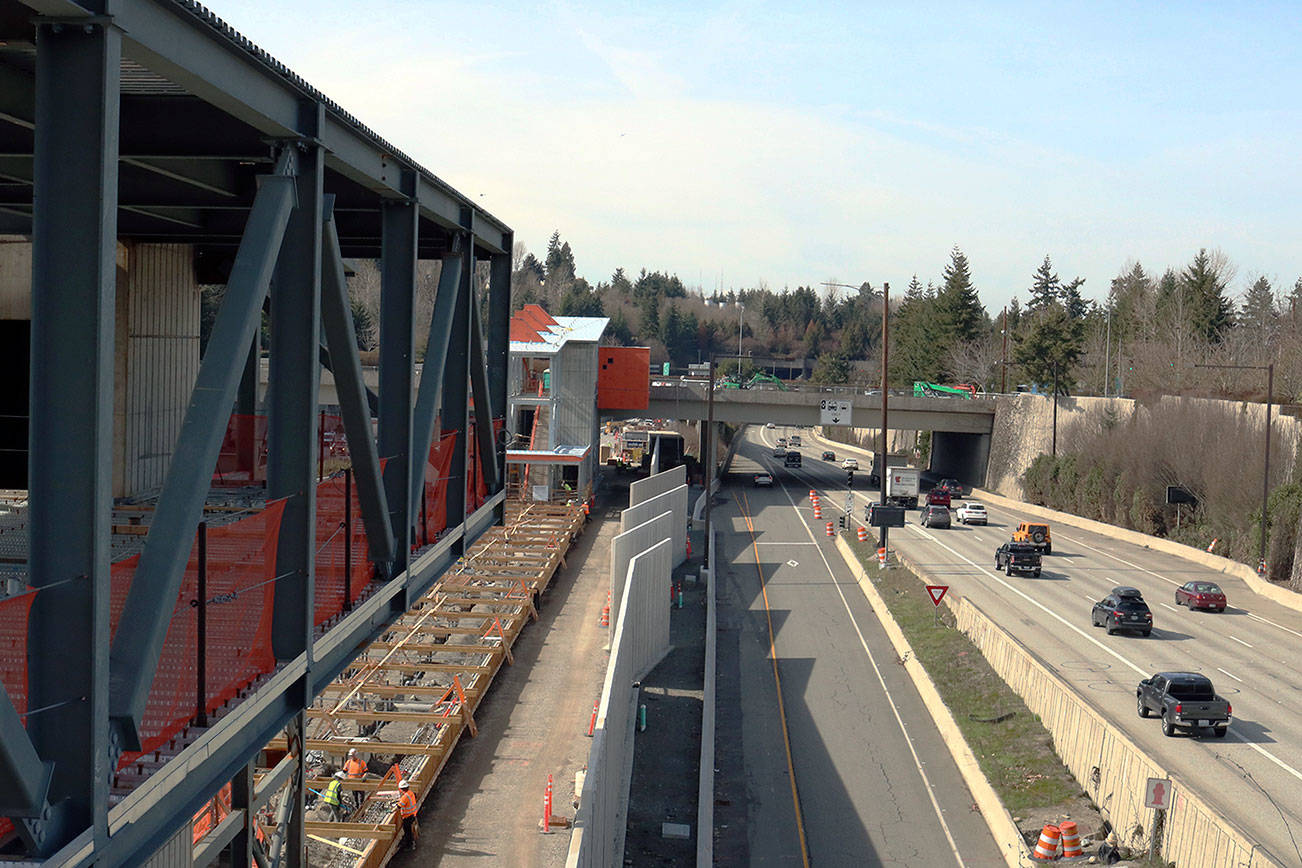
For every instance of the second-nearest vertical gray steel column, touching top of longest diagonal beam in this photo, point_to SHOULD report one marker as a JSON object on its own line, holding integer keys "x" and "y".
{"x": 294, "y": 404}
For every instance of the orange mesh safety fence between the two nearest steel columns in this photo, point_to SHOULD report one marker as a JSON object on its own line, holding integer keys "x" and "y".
{"x": 242, "y": 586}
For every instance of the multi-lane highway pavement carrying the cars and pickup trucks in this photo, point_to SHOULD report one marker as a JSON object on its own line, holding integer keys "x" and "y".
{"x": 1251, "y": 651}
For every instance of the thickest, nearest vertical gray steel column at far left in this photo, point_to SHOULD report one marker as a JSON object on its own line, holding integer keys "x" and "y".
{"x": 74, "y": 288}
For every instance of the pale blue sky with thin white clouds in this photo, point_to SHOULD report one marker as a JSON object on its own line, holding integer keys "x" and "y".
{"x": 743, "y": 145}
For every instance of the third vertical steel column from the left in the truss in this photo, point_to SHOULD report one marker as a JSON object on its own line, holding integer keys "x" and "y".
{"x": 398, "y": 342}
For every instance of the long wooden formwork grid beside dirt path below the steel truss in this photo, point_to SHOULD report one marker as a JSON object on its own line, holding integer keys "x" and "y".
{"x": 407, "y": 699}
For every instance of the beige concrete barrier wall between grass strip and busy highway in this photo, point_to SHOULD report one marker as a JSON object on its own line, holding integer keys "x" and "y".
{"x": 1113, "y": 768}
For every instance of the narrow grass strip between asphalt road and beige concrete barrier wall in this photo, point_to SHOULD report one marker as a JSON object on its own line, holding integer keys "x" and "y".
{"x": 1011, "y": 744}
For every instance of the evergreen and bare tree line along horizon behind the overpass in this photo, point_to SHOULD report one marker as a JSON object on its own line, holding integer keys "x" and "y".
{"x": 1149, "y": 335}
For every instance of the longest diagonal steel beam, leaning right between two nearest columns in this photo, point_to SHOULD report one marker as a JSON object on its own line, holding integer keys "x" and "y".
{"x": 167, "y": 550}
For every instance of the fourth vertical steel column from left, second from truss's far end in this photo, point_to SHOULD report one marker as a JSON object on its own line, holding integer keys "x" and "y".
{"x": 455, "y": 409}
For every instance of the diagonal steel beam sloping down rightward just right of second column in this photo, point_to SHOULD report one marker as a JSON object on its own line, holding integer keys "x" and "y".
{"x": 347, "y": 368}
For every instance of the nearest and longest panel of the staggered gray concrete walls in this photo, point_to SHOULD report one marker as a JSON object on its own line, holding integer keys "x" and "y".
{"x": 640, "y": 641}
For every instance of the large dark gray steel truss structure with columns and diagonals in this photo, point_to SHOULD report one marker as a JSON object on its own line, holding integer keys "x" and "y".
{"x": 154, "y": 122}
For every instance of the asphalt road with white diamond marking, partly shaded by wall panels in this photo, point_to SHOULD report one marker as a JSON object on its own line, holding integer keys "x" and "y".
{"x": 874, "y": 784}
